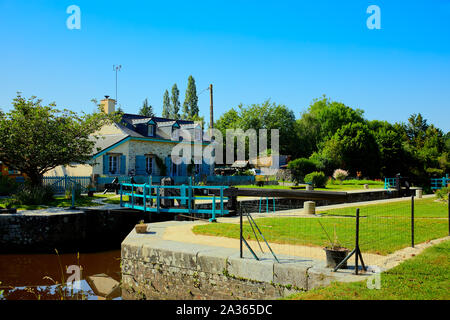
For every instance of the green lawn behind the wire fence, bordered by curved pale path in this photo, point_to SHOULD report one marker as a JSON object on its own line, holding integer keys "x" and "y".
{"x": 383, "y": 232}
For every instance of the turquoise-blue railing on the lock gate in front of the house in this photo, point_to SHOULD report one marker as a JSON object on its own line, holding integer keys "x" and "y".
{"x": 186, "y": 197}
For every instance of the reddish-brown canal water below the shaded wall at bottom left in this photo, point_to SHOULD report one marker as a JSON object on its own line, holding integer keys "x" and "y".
{"x": 22, "y": 275}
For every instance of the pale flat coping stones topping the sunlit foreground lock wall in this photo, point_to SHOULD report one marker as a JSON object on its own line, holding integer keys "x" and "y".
{"x": 151, "y": 248}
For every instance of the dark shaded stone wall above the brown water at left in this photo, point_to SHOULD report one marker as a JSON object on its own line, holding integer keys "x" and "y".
{"x": 65, "y": 230}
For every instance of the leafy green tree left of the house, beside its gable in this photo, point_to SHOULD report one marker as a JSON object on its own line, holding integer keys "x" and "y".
{"x": 35, "y": 138}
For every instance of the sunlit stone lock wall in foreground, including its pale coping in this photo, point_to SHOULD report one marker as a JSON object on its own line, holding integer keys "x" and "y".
{"x": 153, "y": 268}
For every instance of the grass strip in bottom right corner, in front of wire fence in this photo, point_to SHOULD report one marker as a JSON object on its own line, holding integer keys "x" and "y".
{"x": 423, "y": 277}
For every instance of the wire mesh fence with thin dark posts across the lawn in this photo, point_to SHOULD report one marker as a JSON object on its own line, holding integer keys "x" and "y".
{"x": 385, "y": 228}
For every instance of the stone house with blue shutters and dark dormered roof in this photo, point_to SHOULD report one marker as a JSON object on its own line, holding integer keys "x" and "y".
{"x": 141, "y": 146}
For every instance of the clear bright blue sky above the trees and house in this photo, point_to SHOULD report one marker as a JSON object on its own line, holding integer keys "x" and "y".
{"x": 288, "y": 51}
